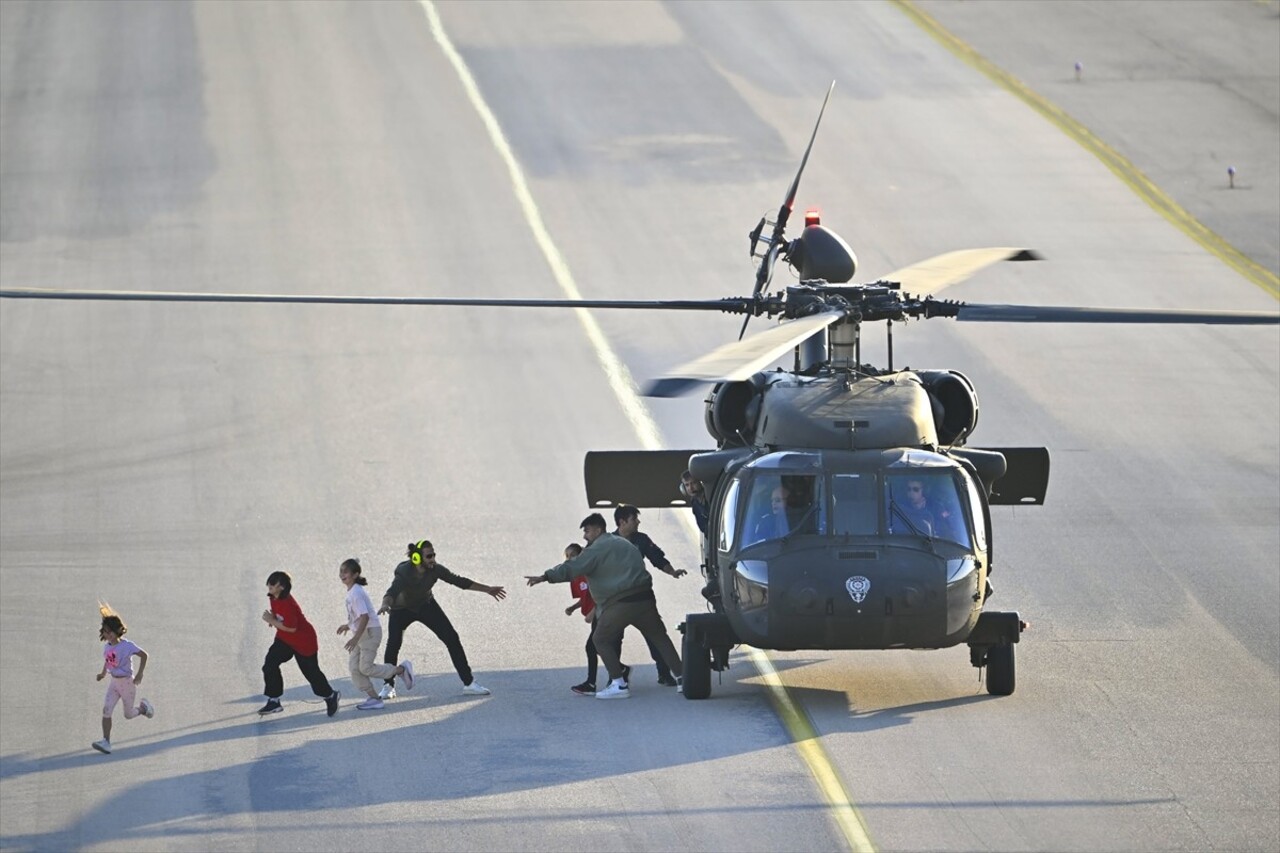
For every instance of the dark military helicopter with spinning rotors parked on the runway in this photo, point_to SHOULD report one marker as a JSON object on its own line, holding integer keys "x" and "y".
{"x": 844, "y": 509}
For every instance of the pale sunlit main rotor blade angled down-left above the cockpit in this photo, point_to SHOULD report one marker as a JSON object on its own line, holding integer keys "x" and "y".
{"x": 740, "y": 359}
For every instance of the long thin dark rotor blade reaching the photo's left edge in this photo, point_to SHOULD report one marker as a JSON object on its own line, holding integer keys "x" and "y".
{"x": 730, "y": 305}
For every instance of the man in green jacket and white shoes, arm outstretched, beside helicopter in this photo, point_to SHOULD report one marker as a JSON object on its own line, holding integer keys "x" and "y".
{"x": 624, "y": 596}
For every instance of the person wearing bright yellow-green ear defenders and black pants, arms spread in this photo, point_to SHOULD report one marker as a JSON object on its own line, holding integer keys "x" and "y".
{"x": 410, "y": 600}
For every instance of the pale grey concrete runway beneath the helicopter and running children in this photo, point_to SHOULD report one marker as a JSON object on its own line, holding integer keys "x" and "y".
{"x": 168, "y": 458}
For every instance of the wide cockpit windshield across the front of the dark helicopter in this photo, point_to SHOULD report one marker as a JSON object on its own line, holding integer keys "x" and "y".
{"x": 844, "y": 495}
